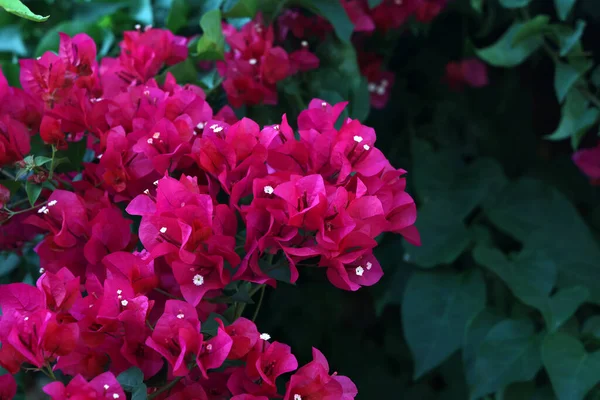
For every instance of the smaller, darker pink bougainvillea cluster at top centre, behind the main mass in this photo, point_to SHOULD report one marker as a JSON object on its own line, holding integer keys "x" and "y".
{"x": 254, "y": 64}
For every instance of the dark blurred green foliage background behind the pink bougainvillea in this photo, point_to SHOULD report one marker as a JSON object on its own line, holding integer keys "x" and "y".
{"x": 501, "y": 300}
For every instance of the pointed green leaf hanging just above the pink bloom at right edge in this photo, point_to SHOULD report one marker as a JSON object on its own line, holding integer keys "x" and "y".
{"x": 576, "y": 116}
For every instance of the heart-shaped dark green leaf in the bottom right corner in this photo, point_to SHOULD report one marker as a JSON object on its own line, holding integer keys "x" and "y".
{"x": 572, "y": 371}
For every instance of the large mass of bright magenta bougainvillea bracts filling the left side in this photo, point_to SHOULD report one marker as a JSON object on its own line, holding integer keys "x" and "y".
{"x": 221, "y": 200}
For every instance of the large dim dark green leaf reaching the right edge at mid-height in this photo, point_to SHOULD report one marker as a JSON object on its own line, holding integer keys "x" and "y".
{"x": 537, "y": 214}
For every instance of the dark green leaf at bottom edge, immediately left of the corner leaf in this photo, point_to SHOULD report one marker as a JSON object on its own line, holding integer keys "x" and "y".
{"x": 509, "y": 353}
